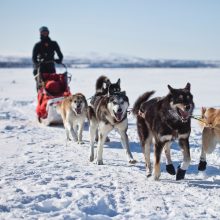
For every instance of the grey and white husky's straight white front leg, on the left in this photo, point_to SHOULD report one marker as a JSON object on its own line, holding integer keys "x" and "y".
{"x": 102, "y": 134}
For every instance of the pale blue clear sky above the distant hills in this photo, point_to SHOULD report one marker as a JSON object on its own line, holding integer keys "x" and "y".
{"x": 156, "y": 29}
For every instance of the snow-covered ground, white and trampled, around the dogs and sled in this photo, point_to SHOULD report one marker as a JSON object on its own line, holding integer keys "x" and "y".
{"x": 42, "y": 178}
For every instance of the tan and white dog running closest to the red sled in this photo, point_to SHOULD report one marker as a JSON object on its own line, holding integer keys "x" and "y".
{"x": 73, "y": 110}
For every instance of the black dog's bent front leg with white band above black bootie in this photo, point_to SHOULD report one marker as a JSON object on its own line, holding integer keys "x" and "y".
{"x": 184, "y": 144}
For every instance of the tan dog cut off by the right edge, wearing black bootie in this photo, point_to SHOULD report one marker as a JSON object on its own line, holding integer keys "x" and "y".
{"x": 210, "y": 135}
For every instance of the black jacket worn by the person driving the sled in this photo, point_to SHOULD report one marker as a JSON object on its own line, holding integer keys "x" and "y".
{"x": 45, "y": 51}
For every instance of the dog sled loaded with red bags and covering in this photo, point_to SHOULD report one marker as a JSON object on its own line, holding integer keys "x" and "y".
{"x": 52, "y": 89}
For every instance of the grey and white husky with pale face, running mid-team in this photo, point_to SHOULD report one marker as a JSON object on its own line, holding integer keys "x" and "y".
{"x": 107, "y": 113}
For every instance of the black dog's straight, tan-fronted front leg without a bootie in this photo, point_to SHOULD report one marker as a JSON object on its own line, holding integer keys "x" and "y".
{"x": 158, "y": 147}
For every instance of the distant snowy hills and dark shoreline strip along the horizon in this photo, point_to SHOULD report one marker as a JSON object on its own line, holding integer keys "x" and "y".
{"x": 112, "y": 61}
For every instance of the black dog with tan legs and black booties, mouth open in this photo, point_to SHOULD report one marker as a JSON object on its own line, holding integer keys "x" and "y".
{"x": 160, "y": 121}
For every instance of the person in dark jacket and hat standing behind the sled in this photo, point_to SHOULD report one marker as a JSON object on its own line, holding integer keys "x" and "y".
{"x": 44, "y": 52}
